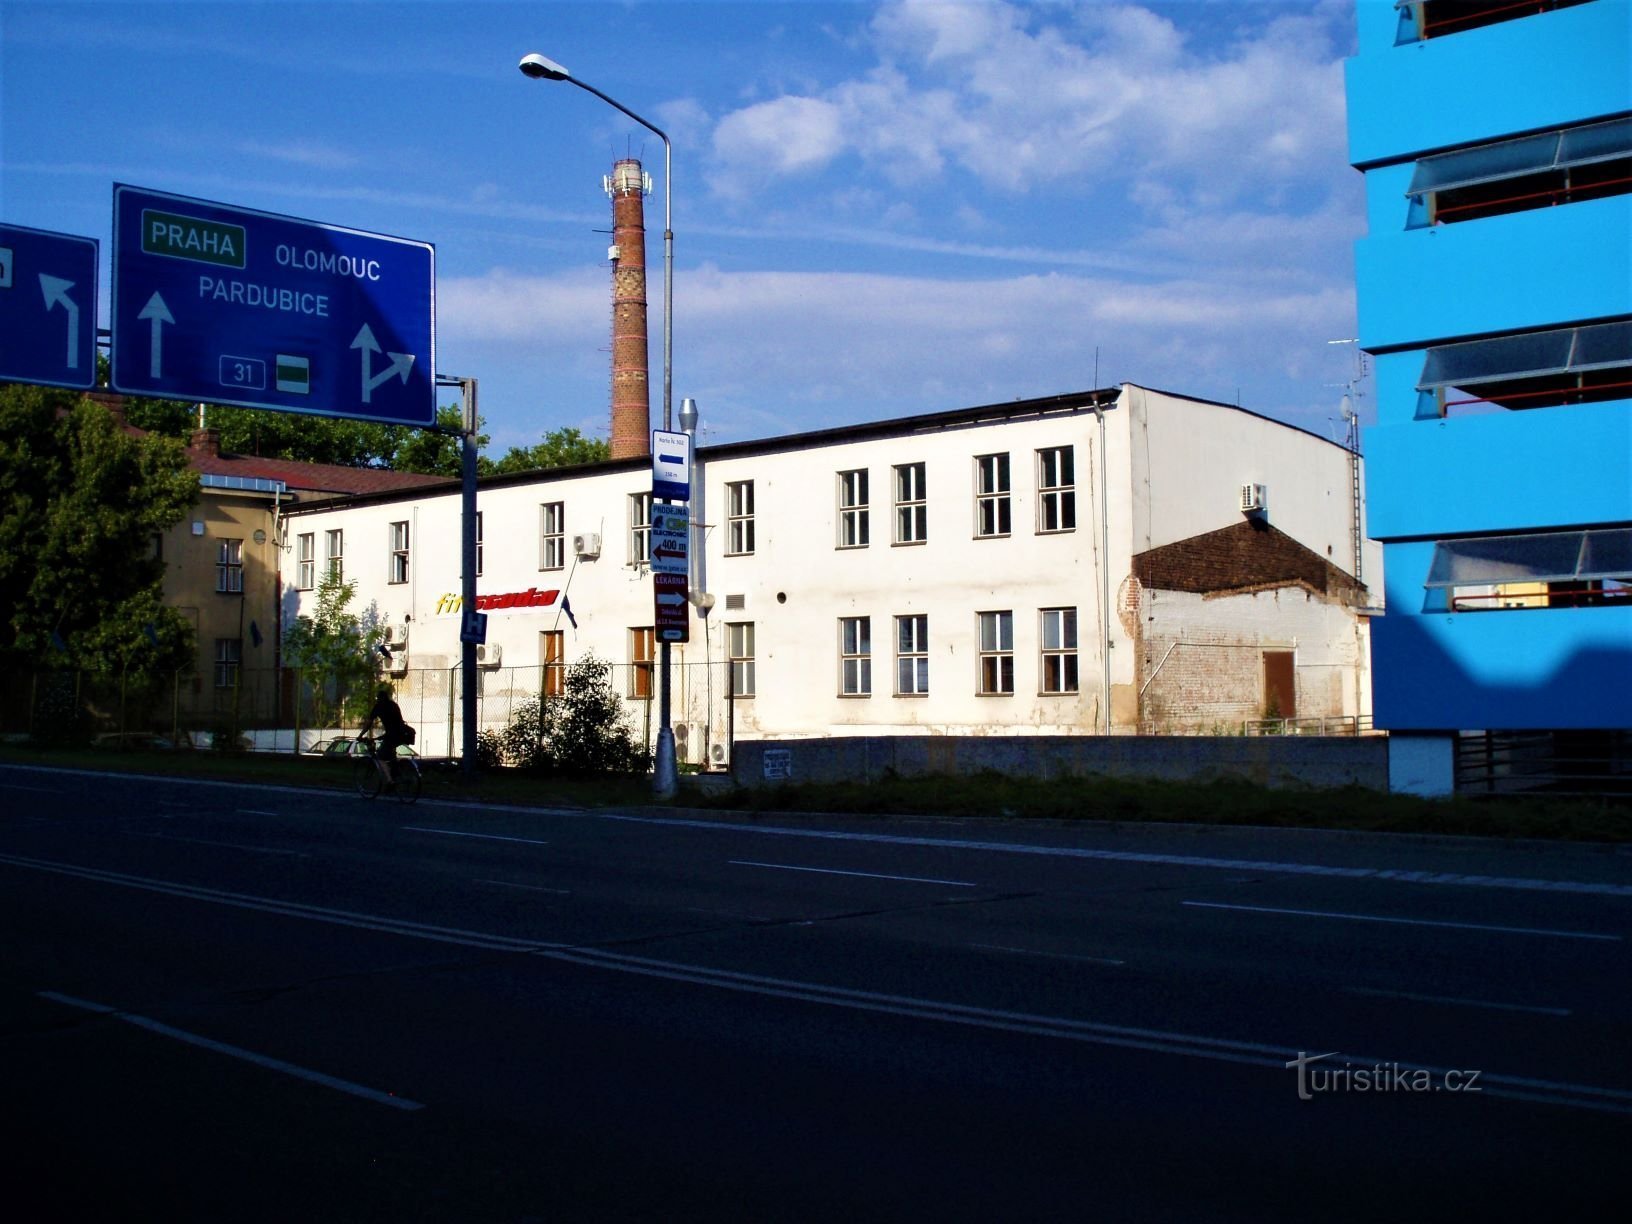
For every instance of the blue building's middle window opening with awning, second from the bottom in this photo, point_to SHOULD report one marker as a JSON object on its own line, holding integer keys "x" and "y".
{"x": 1538, "y": 370}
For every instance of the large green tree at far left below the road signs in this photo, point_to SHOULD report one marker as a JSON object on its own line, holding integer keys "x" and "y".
{"x": 81, "y": 503}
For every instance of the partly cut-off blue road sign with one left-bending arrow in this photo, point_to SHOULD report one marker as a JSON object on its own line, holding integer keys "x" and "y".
{"x": 48, "y": 308}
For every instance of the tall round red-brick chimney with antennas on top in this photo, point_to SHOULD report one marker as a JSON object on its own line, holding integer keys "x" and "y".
{"x": 631, "y": 360}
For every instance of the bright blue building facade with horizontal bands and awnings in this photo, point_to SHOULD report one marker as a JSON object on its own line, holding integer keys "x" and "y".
{"x": 1496, "y": 298}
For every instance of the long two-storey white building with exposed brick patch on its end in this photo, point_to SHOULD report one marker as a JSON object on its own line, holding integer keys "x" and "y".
{"x": 1106, "y": 562}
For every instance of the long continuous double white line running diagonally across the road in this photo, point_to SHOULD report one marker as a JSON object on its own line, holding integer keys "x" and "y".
{"x": 1218, "y": 1050}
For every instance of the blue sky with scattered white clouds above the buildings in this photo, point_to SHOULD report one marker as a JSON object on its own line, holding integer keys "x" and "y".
{"x": 880, "y": 208}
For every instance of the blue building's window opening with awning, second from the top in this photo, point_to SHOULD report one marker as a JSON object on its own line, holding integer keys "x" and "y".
{"x": 1533, "y": 172}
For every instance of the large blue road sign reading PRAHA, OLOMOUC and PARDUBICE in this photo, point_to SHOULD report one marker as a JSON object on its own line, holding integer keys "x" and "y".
{"x": 231, "y": 306}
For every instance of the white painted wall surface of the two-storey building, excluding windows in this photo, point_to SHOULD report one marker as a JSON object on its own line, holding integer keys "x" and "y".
{"x": 799, "y": 583}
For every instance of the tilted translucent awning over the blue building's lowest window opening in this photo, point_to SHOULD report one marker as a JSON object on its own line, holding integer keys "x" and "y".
{"x": 1538, "y": 557}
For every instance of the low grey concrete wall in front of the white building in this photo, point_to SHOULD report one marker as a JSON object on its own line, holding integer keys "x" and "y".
{"x": 1297, "y": 761}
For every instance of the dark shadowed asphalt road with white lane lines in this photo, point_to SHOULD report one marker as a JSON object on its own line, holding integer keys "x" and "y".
{"x": 252, "y": 1004}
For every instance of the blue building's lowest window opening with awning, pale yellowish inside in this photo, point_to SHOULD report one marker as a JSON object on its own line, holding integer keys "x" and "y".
{"x": 1590, "y": 569}
